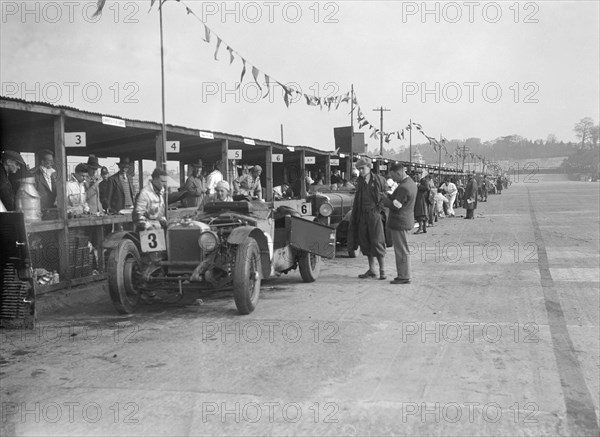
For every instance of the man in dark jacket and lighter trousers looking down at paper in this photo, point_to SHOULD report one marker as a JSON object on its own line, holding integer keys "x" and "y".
{"x": 401, "y": 219}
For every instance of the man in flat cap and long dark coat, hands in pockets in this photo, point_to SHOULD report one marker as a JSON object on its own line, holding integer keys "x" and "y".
{"x": 366, "y": 224}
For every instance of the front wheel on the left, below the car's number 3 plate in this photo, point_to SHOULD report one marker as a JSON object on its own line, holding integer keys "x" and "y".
{"x": 123, "y": 267}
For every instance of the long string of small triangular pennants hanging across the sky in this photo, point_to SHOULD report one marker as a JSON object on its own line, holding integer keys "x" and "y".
{"x": 290, "y": 92}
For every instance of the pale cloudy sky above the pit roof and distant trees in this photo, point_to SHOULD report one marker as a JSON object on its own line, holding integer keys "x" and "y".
{"x": 459, "y": 69}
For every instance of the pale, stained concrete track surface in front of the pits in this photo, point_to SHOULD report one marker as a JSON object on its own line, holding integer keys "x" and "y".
{"x": 496, "y": 335}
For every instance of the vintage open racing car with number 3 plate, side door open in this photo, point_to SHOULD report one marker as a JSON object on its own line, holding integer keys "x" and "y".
{"x": 228, "y": 245}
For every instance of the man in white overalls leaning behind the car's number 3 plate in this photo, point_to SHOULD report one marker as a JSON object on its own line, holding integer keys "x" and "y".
{"x": 149, "y": 209}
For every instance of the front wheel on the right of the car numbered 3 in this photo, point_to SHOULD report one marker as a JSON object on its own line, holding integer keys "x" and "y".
{"x": 246, "y": 276}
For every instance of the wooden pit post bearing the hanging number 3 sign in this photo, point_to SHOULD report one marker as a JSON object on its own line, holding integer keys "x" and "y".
{"x": 60, "y": 156}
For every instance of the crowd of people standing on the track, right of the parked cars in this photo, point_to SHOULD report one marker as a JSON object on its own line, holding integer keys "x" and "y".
{"x": 385, "y": 211}
